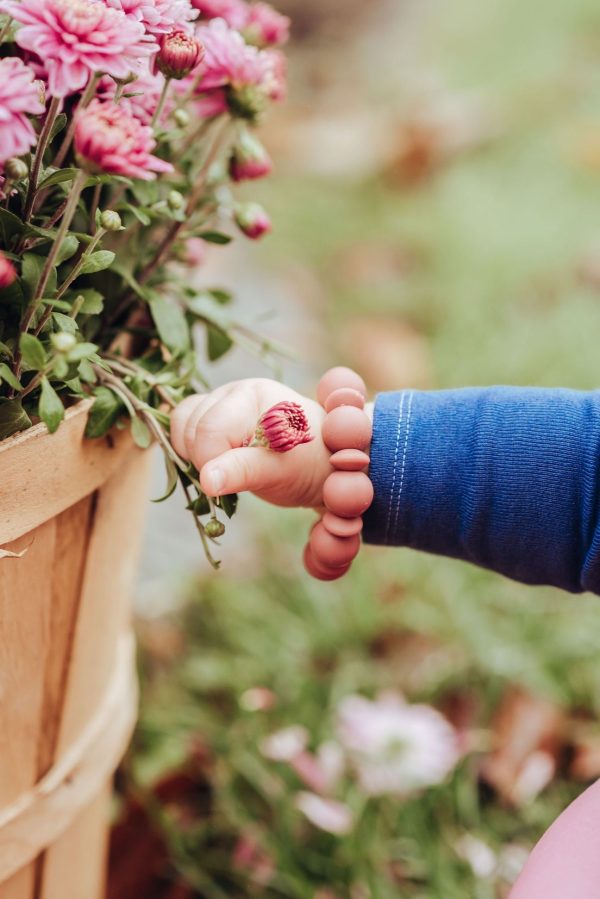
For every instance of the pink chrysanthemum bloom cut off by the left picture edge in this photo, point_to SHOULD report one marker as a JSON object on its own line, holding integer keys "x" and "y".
{"x": 19, "y": 97}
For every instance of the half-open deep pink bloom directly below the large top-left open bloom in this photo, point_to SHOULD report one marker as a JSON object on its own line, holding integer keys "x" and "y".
{"x": 109, "y": 139}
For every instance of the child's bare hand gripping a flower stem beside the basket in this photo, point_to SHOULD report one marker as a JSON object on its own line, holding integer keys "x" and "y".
{"x": 210, "y": 429}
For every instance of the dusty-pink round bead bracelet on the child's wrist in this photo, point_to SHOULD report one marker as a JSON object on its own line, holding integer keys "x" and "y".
{"x": 334, "y": 541}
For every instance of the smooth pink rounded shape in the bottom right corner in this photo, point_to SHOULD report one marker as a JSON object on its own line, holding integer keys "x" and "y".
{"x": 565, "y": 864}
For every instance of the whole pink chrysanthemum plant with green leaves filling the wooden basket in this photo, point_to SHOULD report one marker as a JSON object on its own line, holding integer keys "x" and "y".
{"x": 119, "y": 124}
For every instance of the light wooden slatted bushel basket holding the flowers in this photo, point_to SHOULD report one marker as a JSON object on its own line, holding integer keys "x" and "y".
{"x": 67, "y": 675}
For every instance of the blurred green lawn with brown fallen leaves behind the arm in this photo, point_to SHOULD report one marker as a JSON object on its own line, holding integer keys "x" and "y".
{"x": 437, "y": 211}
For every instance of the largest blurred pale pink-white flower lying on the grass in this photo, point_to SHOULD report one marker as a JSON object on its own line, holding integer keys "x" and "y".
{"x": 396, "y": 747}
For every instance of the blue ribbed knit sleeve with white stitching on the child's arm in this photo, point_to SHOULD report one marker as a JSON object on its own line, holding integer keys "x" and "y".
{"x": 504, "y": 477}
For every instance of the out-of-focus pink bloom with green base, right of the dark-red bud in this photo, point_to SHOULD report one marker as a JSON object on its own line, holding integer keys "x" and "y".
{"x": 244, "y": 77}
